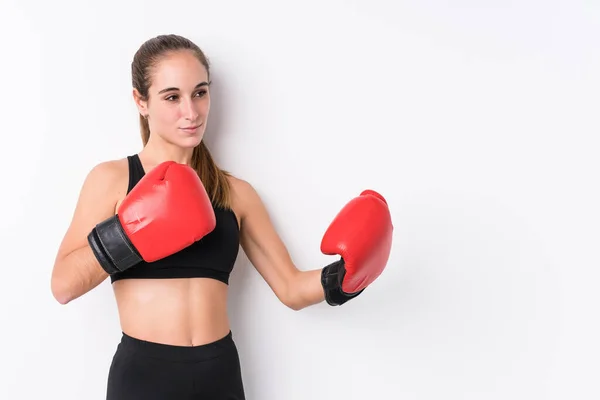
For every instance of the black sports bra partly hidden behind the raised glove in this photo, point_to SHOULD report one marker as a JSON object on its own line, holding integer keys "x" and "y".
{"x": 211, "y": 257}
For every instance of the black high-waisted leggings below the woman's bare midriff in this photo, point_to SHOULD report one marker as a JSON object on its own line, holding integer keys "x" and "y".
{"x": 153, "y": 371}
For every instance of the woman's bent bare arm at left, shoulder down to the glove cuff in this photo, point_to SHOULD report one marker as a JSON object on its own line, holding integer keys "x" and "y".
{"x": 76, "y": 270}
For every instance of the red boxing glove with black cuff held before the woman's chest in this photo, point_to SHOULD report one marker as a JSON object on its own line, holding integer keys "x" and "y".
{"x": 167, "y": 211}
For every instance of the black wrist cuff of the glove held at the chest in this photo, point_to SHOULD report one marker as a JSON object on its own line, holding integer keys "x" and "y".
{"x": 111, "y": 246}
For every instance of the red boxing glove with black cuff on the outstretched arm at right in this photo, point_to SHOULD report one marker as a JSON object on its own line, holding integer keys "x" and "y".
{"x": 361, "y": 233}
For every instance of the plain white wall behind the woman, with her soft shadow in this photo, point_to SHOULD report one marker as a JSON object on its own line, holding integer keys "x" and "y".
{"x": 478, "y": 122}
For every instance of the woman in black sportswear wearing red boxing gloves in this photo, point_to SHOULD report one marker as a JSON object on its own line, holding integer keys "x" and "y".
{"x": 172, "y": 301}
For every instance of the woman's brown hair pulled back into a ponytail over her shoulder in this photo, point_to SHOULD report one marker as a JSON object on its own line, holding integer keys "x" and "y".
{"x": 214, "y": 179}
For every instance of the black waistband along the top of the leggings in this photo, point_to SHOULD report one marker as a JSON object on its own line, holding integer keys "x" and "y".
{"x": 178, "y": 353}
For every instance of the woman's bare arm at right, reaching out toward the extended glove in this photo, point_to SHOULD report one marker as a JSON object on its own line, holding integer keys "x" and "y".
{"x": 268, "y": 254}
